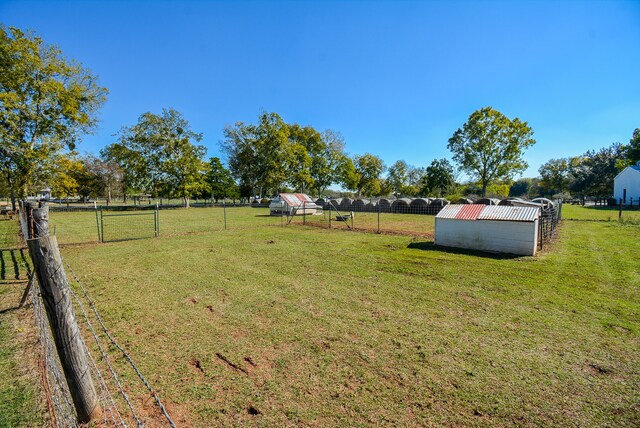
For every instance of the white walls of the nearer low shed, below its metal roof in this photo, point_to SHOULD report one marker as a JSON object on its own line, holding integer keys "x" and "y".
{"x": 511, "y": 237}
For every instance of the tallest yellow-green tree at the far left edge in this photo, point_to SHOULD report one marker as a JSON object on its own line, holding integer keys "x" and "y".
{"x": 46, "y": 104}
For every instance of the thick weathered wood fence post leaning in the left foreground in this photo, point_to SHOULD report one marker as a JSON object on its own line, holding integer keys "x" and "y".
{"x": 56, "y": 295}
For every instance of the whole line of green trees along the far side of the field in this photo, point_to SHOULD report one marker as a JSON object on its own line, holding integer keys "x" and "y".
{"x": 47, "y": 103}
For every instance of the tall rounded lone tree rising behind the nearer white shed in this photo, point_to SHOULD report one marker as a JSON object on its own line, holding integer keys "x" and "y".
{"x": 489, "y": 146}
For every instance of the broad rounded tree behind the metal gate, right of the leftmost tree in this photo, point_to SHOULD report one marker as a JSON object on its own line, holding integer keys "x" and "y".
{"x": 159, "y": 156}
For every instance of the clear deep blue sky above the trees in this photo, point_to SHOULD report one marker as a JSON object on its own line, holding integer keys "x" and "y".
{"x": 396, "y": 78}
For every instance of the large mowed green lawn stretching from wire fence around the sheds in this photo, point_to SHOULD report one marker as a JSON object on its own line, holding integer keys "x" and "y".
{"x": 305, "y": 326}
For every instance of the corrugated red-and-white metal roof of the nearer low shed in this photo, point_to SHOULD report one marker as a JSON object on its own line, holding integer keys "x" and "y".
{"x": 489, "y": 212}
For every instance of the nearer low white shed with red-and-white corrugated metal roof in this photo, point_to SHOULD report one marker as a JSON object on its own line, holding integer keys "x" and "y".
{"x": 492, "y": 228}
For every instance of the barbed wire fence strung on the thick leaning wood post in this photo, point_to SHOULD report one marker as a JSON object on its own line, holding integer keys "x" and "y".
{"x": 118, "y": 409}
